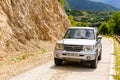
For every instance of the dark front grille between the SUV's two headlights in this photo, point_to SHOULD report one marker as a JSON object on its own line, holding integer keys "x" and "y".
{"x": 75, "y": 48}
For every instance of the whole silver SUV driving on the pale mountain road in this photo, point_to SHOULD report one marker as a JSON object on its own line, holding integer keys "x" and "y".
{"x": 81, "y": 44}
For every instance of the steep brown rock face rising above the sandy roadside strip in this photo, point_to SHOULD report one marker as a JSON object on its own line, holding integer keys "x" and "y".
{"x": 23, "y": 23}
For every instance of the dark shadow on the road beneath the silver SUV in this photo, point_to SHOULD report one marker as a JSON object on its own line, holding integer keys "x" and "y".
{"x": 74, "y": 67}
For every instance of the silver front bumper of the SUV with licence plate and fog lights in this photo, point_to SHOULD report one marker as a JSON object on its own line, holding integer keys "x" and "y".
{"x": 86, "y": 56}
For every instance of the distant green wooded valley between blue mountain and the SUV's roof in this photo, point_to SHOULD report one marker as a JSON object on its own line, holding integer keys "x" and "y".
{"x": 90, "y": 18}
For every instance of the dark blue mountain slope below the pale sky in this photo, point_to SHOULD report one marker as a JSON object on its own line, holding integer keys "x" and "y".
{"x": 90, "y": 5}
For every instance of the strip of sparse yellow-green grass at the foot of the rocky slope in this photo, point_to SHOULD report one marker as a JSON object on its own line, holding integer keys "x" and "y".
{"x": 27, "y": 55}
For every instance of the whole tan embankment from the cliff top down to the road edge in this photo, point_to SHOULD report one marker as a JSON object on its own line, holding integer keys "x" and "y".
{"x": 28, "y": 29}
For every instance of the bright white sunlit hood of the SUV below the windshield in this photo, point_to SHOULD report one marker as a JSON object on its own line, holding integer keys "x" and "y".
{"x": 77, "y": 42}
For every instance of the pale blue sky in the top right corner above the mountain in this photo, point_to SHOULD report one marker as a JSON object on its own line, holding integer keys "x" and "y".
{"x": 115, "y": 3}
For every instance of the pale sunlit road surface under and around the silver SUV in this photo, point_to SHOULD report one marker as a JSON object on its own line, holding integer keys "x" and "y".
{"x": 73, "y": 71}
